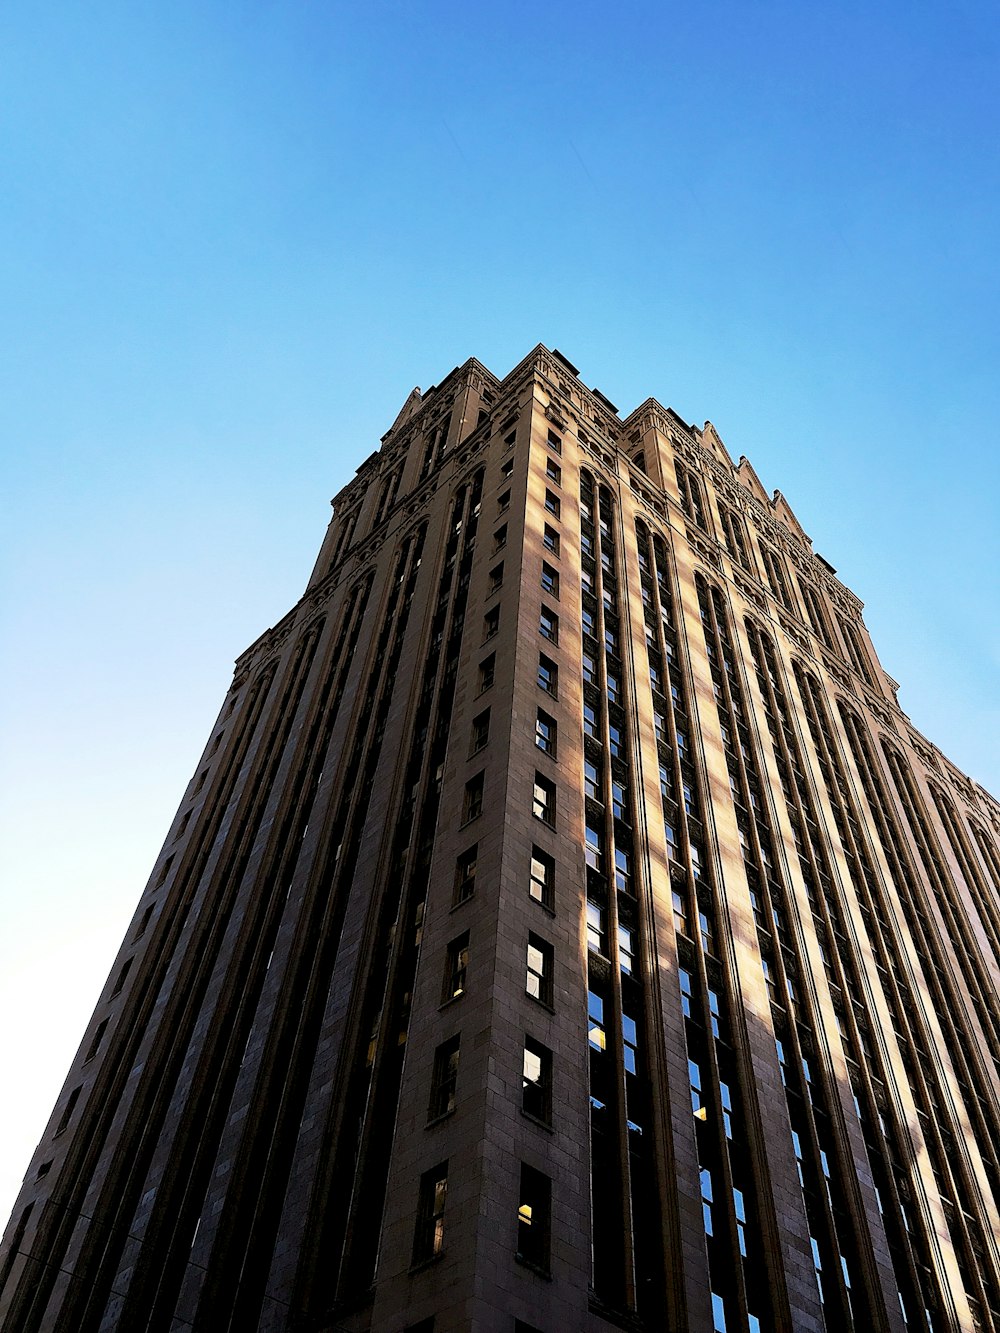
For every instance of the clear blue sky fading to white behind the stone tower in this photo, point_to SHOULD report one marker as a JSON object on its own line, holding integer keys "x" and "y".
{"x": 235, "y": 235}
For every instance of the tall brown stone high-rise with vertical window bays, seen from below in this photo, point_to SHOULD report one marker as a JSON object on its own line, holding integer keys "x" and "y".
{"x": 563, "y": 931}
